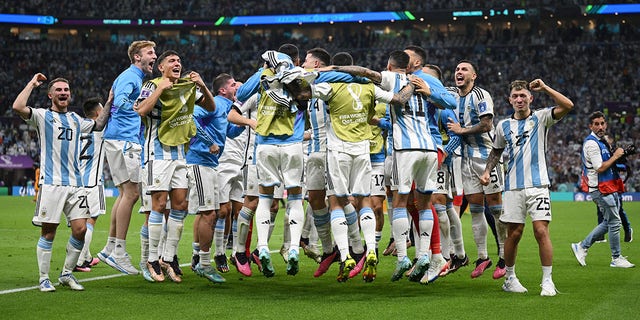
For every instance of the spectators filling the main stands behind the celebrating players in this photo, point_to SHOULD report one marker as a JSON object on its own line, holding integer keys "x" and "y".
{"x": 589, "y": 67}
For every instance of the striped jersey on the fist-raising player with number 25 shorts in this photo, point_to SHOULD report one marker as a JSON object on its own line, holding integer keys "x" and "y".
{"x": 525, "y": 142}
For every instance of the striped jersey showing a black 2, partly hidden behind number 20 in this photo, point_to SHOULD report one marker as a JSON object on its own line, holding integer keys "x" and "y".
{"x": 92, "y": 158}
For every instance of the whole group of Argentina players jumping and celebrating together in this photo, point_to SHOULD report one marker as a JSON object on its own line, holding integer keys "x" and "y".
{"x": 344, "y": 137}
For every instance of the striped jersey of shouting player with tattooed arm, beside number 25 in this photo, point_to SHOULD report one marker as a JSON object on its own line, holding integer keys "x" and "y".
{"x": 471, "y": 107}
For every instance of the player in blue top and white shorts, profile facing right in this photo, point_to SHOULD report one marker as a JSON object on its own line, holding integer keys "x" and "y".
{"x": 204, "y": 151}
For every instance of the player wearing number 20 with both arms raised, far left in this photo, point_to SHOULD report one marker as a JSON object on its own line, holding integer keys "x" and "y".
{"x": 62, "y": 187}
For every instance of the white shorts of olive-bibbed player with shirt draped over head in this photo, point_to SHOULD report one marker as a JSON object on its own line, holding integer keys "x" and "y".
{"x": 280, "y": 164}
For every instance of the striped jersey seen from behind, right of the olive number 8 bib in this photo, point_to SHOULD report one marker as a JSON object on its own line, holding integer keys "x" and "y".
{"x": 411, "y": 126}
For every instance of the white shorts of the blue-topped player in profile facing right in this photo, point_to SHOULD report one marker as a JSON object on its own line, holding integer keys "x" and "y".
{"x": 203, "y": 188}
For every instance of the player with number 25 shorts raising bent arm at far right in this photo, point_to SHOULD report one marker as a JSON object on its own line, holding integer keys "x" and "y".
{"x": 524, "y": 137}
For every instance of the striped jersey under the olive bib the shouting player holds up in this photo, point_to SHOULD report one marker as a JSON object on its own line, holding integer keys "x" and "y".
{"x": 153, "y": 148}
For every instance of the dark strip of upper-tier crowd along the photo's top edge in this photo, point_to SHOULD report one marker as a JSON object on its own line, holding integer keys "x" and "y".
{"x": 202, "y": 9}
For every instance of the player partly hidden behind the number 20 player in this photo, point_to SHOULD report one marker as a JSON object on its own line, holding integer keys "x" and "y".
{"x": 91, "y": 167}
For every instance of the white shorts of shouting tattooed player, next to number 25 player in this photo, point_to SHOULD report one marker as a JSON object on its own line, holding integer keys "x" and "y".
{"x": 472, "y": 169}
